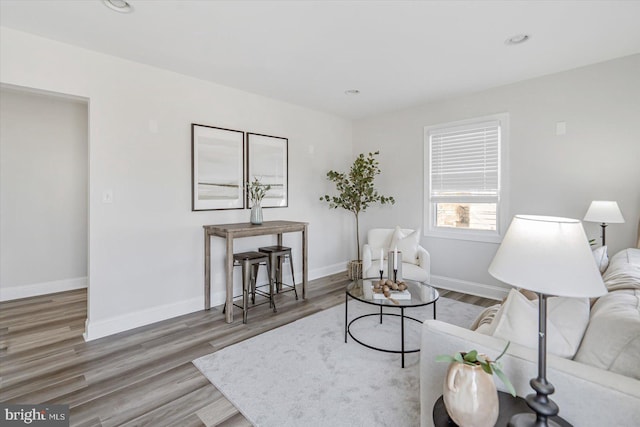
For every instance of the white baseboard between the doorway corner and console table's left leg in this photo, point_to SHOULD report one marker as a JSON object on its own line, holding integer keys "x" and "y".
{"x": 113, "y": 325}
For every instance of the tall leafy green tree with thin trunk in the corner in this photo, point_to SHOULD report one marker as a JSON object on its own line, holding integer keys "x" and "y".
{"x": 356, "y": 190}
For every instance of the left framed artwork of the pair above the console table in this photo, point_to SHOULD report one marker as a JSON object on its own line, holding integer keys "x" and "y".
{"x": 217, "y": 168}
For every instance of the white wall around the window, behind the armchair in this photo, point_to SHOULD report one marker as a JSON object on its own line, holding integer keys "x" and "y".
{"x": 597, "y": 159}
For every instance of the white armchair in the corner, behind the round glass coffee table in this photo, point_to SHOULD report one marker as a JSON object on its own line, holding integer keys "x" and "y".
{"x": 416, "y": 261}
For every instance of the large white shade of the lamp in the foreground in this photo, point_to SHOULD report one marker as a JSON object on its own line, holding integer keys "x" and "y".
{"x": 549, "y": 255}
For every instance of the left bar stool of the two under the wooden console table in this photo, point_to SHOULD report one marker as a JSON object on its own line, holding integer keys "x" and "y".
{"x": 250, "y": 262}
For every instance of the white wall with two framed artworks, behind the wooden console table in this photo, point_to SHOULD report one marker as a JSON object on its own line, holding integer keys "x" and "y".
{"x": 146, "y": 248}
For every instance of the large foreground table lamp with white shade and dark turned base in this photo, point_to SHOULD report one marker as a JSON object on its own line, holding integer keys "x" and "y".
{"x": 550, "y": 256}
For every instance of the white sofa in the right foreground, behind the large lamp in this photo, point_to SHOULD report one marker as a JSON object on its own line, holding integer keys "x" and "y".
{"x": 587, "y": 395}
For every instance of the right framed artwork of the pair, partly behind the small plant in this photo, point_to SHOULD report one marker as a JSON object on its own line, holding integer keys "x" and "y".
{"x": 268, "y": 161}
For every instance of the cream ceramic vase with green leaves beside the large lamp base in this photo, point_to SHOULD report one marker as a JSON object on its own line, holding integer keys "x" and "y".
{"x": 470, "y": 396}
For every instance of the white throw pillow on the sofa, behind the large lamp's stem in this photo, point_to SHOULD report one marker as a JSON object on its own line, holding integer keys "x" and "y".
{"x": 567, "y": 319}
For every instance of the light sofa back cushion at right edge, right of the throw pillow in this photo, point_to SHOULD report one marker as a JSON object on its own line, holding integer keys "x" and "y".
{"x": 612, "y": 339}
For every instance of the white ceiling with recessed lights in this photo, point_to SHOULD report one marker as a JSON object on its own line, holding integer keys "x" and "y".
{"x": 397, "y": 53}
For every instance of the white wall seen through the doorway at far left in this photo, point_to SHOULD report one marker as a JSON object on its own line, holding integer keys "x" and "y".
{"x": 43, "y": 194}
